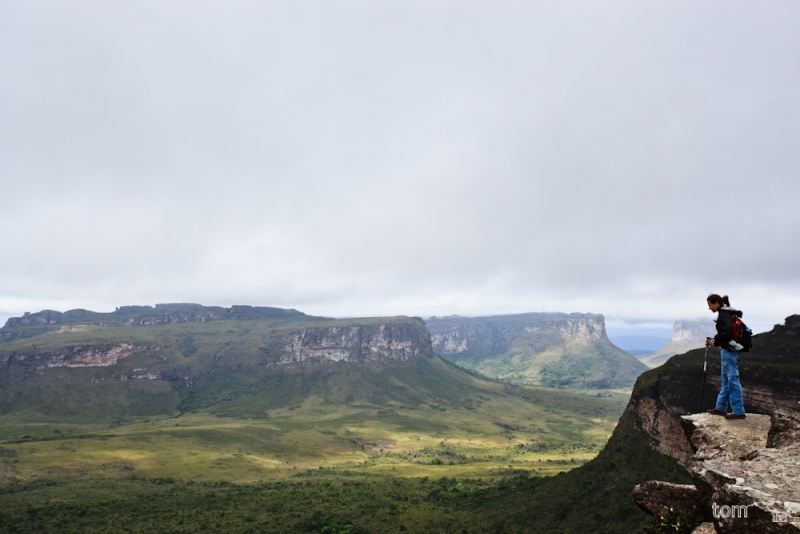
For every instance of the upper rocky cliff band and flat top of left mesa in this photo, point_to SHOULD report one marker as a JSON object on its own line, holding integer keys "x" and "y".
{"x": 167, "y": 335}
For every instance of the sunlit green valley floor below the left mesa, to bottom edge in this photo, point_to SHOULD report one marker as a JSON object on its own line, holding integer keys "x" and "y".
{"x": 309, "y": 467}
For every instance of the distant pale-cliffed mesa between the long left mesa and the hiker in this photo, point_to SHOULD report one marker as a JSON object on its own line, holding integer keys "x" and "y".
{"x": 551, "y": 349}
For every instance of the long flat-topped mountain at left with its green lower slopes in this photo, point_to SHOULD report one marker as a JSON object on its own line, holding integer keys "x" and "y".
{"x": 138, "y": 362}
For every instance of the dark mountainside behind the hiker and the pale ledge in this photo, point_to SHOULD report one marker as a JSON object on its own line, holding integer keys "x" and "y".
{"x": 649, "y": 442}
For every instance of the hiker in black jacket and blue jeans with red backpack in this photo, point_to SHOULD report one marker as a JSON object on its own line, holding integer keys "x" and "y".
{"x": 731, "y": 391}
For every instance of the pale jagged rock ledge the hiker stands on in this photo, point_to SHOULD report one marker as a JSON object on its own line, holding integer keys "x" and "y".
{"x": 746, "y": 475}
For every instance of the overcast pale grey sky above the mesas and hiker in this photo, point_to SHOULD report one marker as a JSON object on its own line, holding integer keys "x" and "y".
{"x": 360, "y": 158}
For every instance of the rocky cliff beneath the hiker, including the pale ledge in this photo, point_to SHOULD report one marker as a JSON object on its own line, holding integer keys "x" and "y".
{"x": 751, "y": 464}
